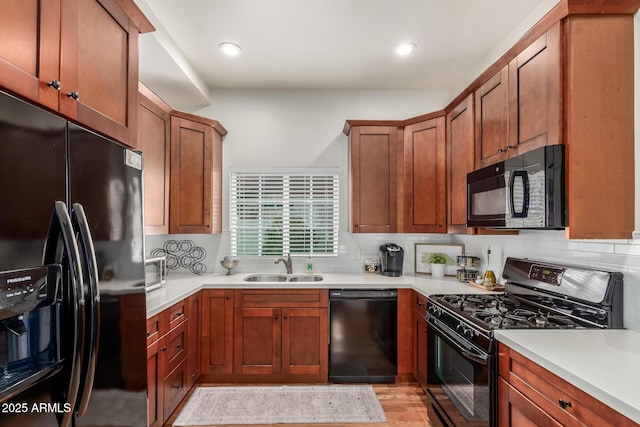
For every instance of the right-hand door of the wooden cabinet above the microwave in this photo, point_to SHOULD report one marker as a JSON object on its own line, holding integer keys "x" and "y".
{"x": 534, "y": 92}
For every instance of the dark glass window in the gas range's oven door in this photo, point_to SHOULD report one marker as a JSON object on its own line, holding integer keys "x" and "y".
{"x": 463, "y": 381}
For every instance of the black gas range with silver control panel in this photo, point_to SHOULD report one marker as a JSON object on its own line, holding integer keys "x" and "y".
{"x": 462, "y": 352}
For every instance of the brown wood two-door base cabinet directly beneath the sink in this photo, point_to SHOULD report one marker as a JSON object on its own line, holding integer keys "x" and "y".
{"x": 281, "y": 335}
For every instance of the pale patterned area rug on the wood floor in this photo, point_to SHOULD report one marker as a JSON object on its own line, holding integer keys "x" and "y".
{"x": 282, "y": 405}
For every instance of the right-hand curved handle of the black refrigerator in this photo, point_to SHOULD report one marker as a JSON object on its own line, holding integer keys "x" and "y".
{"x": 81, "y": 225}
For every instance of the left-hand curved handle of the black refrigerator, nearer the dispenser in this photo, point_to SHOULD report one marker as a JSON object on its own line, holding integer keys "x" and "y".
{"x": 66, "y": 389}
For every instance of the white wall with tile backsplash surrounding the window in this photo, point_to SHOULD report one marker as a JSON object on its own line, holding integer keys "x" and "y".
{"x": 304, "y": 129}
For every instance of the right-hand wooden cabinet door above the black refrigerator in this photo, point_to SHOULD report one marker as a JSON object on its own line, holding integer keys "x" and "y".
{"x": 99, "y": 63}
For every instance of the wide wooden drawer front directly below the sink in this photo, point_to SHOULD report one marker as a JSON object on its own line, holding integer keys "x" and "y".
{"x": 281, "y": 298}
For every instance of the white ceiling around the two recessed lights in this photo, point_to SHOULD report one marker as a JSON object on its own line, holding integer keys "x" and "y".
{"x": 320, "y": 44}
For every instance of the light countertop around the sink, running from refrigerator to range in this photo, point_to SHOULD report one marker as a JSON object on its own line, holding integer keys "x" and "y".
{"x": 180, "y": 286}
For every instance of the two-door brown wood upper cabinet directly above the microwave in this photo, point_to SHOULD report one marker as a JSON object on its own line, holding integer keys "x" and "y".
{"x": 518, "y": 109}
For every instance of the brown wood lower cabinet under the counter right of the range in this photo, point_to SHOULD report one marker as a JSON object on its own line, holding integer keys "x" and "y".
{"x": 530, "y": 395}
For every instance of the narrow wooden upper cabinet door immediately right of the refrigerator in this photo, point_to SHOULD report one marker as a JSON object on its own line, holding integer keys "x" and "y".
{"x": 155, "y": 144}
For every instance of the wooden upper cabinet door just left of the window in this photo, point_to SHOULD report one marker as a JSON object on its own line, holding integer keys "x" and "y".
{"x": 191, "y": 177}
